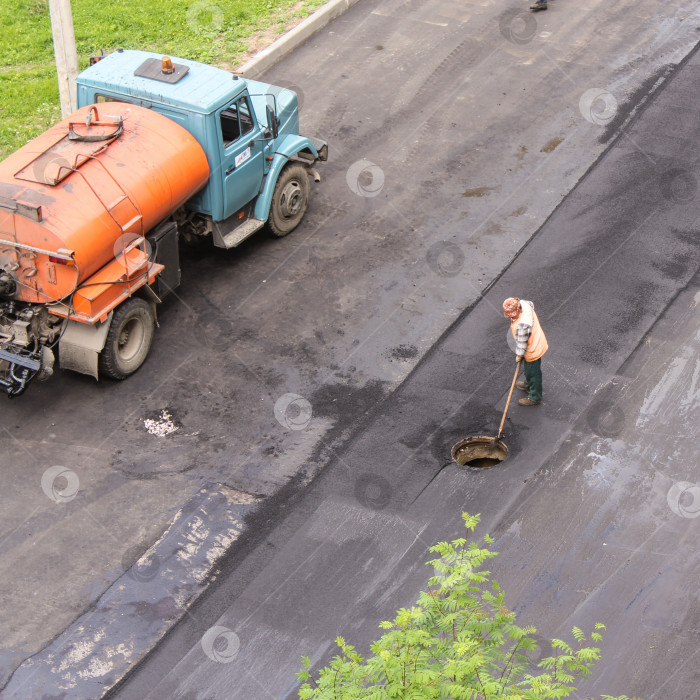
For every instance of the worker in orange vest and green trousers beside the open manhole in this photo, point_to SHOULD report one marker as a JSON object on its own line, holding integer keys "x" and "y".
{"x": 530, "y": 345}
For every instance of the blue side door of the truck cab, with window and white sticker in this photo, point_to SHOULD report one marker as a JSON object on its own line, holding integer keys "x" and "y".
{"x": 242, "y": 154}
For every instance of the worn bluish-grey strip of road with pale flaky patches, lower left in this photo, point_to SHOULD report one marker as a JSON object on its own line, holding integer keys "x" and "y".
{"x": 100, "y": 648}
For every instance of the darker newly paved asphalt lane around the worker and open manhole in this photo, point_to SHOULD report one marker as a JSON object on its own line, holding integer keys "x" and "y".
{"x": 584, "y": 510}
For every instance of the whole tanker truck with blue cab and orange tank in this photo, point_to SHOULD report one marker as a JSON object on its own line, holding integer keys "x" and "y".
{"x": 91, "y": 211}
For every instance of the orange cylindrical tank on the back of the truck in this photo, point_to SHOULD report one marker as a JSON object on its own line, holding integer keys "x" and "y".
{"x": 72, "y": 196}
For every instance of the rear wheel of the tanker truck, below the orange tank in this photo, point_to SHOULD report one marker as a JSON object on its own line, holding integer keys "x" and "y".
{"x": 129, "y": 339}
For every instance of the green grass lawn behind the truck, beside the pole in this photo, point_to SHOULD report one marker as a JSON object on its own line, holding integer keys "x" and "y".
{"x": 211, "y": 31}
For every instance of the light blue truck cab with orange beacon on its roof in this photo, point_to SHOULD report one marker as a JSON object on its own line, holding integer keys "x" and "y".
{"x": 259, "y": 163}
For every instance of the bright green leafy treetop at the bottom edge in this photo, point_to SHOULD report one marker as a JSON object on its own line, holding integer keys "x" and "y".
{"x": 460, "y": 640}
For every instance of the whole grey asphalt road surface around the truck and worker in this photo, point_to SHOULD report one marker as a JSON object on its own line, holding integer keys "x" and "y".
{"x": 455, "y": 131}
